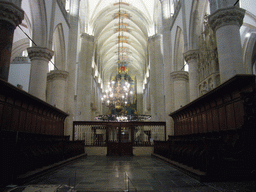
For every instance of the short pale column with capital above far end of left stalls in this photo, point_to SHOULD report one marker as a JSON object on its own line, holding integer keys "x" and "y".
{"x": 57, "y": 80}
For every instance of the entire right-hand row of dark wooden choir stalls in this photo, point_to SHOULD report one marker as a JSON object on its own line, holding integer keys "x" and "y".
{"x": 216, "y": 132}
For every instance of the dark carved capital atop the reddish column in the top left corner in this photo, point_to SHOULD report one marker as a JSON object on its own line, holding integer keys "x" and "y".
{"x": 11, "y": 13}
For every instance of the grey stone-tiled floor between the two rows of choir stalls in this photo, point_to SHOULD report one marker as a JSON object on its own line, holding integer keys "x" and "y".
{"x": 147, "y": 174}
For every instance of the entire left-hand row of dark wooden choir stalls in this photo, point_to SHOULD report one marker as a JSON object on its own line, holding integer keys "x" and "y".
{"x": 31, "y": 134}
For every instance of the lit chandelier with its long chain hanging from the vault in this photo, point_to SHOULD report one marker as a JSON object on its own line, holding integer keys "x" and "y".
{"x": 120, "y": 93}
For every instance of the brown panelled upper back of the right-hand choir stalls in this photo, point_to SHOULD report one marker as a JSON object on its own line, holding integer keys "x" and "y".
{"x": 223, "y": 108}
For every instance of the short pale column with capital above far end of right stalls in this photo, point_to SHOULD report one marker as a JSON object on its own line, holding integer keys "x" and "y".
{"x": 180, "y": 89}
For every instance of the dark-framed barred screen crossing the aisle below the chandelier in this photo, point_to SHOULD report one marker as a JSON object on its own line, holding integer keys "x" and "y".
{"x": 97, "y": 133}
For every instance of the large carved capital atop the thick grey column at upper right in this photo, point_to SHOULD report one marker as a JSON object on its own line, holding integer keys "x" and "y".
{"x": 226, "y": 16}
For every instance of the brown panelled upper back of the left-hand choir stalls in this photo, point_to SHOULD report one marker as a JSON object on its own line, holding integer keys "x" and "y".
{"x": 20, "y": 111}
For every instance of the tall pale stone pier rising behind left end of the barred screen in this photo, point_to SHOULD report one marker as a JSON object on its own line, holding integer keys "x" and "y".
{"x": 84, "y": 84}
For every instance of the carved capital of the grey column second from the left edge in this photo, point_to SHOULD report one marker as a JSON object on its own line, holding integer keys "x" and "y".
{"x": 40, "y": 53}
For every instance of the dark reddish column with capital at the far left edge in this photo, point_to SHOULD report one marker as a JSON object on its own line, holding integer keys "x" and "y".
{"x": 11, "y": 15}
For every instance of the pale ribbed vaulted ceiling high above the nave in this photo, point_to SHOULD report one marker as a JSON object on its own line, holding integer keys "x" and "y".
{"x": 129, "y": 30}
